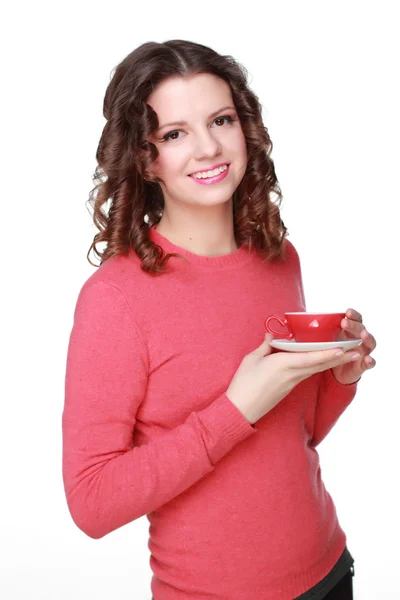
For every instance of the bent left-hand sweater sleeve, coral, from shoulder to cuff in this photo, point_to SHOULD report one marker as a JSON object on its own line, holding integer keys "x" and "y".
{"x": 108, "y": 481}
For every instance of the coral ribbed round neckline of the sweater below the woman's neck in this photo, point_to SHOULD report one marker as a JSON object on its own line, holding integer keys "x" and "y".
{"x": 239, "y": 256}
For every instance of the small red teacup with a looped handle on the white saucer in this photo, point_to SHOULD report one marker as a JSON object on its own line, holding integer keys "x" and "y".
{"x": 308, "y": 327}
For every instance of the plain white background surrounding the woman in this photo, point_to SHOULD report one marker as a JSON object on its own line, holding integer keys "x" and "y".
{"x": 327, "y": 76}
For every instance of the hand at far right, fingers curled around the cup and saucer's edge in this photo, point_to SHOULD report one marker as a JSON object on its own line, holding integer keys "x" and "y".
{"x": 353, "y": 328}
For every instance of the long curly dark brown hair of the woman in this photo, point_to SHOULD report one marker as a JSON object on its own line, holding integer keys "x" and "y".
{"x": 124, "y": 156}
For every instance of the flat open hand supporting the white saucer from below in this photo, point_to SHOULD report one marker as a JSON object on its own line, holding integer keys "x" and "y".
{"x": 264, "y": 378}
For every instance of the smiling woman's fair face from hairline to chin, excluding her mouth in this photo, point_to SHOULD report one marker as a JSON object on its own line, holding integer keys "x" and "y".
{"x": 211, "y": 135}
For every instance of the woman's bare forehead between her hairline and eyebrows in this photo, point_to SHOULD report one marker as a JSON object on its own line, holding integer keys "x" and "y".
{"x": 178, "y": 98}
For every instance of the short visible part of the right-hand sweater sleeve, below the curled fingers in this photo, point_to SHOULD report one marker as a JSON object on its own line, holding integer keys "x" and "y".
{"x": 333, "y": 399}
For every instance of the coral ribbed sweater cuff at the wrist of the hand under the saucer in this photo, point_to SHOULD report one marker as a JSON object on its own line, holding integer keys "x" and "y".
{"x": 223, "y": 426}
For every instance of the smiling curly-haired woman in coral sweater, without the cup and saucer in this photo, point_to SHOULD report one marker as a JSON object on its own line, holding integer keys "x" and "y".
{"x": 176, "y": 406}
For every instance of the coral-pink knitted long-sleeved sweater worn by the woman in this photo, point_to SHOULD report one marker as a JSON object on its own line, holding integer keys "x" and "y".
{"x": 236, "y": 511}
